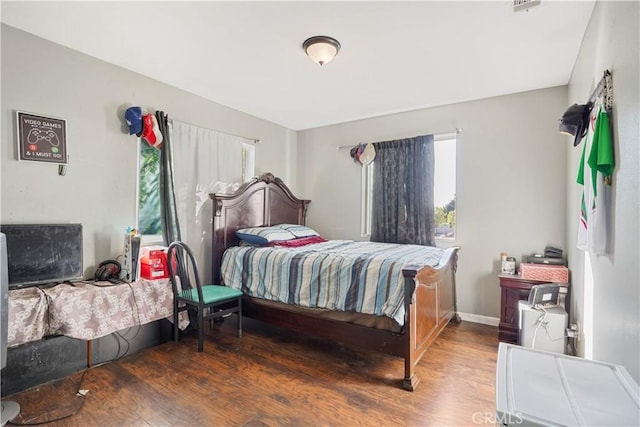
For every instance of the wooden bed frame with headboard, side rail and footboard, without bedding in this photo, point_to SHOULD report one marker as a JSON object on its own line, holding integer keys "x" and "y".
{"x": 428, "y": 294}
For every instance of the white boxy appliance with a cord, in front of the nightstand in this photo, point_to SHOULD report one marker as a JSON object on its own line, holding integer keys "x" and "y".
{"x": 543, "y": 329}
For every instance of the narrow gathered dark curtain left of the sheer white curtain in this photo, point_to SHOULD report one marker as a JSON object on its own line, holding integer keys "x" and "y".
{"x": 168, "y": 211}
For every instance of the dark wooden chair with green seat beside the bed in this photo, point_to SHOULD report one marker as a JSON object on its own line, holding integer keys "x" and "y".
{"x": 208, "y": 301}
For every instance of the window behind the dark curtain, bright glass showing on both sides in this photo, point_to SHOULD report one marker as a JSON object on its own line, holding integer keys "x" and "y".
{"x": 444, "y": 192}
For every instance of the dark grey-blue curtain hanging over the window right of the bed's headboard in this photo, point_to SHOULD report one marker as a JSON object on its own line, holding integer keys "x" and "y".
{"x": 403, "y": 210}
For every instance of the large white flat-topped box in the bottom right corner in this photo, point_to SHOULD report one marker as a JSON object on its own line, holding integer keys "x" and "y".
{"x": 539, "y": 388}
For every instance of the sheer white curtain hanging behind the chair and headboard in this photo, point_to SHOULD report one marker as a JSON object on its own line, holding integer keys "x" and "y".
{"x": 205, "y": 161}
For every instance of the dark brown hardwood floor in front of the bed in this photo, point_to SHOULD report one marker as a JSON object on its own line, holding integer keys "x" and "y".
{"x": 272, "y": 377}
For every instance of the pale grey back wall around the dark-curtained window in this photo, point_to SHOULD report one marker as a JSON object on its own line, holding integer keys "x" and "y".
{"x": 511, "y": 174}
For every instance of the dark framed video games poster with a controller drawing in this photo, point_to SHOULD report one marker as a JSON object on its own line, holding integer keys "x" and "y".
{"x": 41, "y": 138}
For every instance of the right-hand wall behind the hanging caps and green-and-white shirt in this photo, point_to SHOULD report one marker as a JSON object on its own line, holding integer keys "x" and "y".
{"x": 611, "y": 42}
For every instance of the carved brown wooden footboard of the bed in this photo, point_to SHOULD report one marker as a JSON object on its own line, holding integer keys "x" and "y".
{"x": 430, "y": 303}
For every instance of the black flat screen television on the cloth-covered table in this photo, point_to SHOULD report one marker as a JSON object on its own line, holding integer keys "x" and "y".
{"x": 43, "y": 253}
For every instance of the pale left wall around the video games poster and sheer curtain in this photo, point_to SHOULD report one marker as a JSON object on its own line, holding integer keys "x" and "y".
{"x": 99, "y": 188}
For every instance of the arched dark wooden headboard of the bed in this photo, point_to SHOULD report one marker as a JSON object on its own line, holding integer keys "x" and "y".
{"x": 263, "y": 201}
